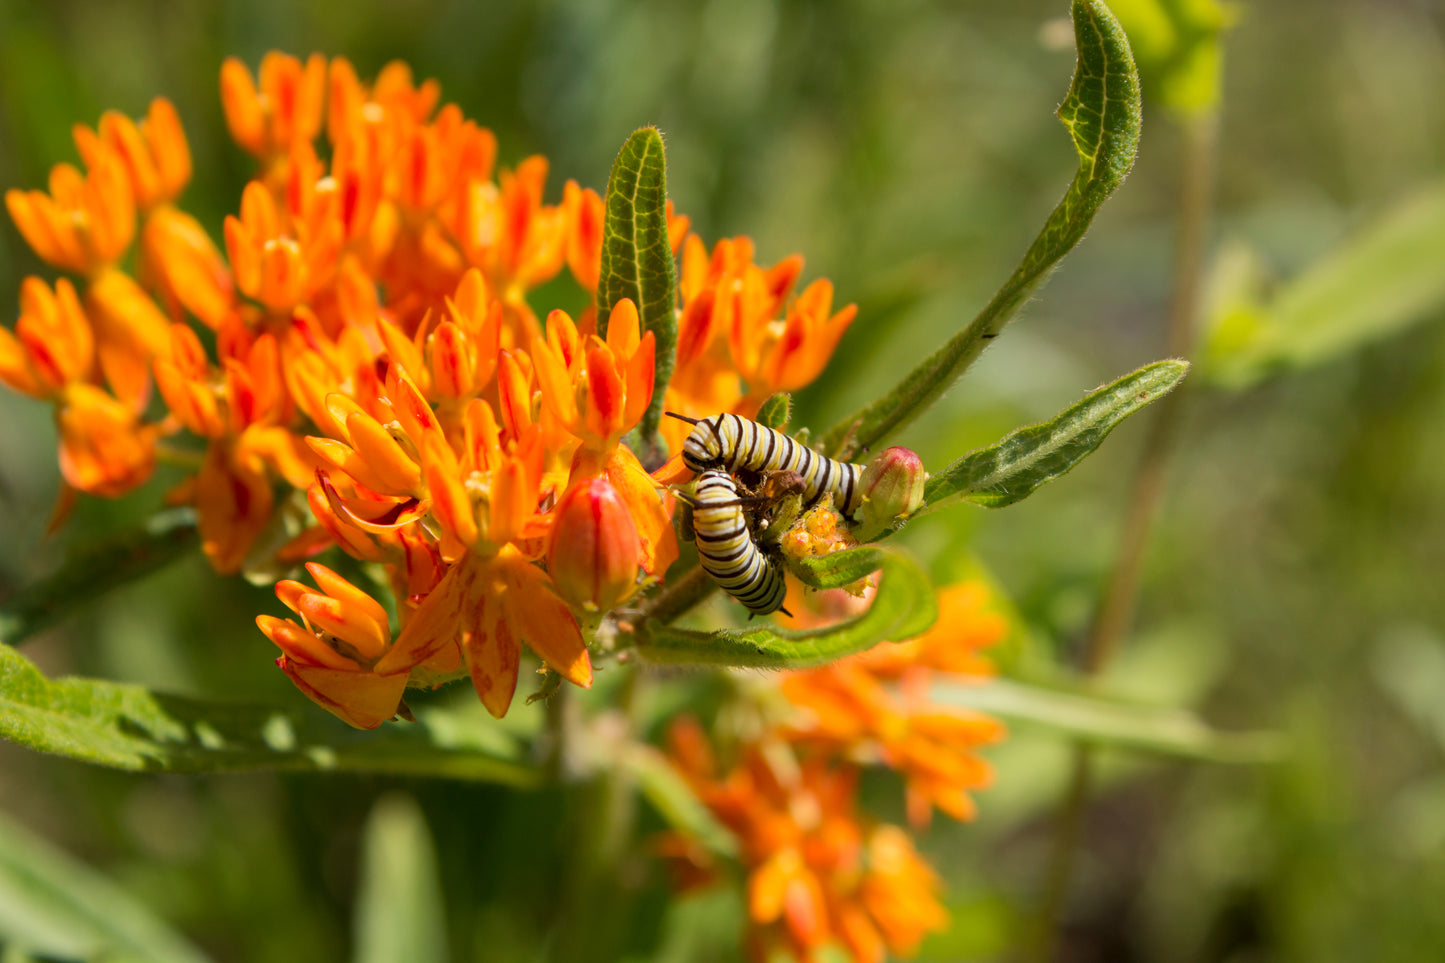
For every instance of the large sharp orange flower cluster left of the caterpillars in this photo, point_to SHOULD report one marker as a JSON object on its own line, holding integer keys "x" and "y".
{"x": 361, "y": 352}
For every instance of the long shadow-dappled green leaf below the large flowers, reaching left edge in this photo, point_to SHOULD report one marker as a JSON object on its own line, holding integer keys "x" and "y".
{"x": 131, "y": 728}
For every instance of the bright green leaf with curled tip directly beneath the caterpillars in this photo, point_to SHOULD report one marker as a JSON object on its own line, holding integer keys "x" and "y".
{"x": 904, "y": 607}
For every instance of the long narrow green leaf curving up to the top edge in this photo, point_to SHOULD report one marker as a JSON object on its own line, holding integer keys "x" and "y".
{"x": 1102, "y": 115}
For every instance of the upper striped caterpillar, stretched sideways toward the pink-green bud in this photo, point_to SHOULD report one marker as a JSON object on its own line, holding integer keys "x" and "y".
{"x": 732, "y": 443}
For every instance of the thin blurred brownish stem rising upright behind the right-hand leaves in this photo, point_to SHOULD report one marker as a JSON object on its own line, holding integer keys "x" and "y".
{"x": 1121, "y": 596}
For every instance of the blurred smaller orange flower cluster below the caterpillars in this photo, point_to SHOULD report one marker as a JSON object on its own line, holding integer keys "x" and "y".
{"x": 819, "y": 874}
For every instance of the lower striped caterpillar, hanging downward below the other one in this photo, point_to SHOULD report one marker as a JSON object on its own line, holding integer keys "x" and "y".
{"x": 728, "y": 550}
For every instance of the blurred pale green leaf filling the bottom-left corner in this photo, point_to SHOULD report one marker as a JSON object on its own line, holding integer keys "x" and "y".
{"x": 61, "y": 909}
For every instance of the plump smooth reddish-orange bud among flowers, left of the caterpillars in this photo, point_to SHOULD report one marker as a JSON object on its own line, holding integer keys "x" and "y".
{"x": 595, "y": 550}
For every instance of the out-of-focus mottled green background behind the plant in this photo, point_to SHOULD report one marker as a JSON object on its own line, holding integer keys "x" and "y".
{"x": 910, "y": 151}
